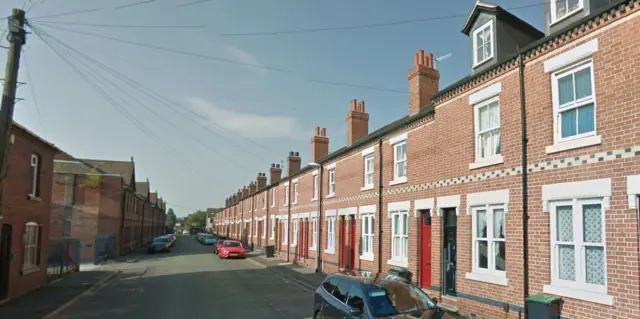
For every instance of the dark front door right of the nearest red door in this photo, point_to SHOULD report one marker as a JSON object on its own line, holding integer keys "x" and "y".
{"x": 449, "y": 251}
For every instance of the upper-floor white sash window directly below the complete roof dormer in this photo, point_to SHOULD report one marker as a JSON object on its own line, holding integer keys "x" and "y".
{"x": 487, "y": 127}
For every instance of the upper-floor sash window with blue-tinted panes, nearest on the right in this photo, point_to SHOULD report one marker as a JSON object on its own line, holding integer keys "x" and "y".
{"x": 574, "y": 102}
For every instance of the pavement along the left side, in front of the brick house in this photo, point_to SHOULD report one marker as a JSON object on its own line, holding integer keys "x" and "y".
{"x": 39, "y": 303}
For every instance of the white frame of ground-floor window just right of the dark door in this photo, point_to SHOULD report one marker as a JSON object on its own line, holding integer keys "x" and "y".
{"x": 490, "y": 275}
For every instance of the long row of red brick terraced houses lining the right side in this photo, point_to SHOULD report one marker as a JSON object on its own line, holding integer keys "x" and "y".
{"x": 522, "y": 178}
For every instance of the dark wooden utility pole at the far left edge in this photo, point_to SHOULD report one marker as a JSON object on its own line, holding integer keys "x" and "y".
{"x": 17, "y": 38}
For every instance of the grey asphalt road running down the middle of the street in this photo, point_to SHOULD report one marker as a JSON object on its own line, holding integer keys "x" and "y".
{"x": 190, "y": 282}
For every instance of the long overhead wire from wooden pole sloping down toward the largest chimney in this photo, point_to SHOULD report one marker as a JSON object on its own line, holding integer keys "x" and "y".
{"x": 217, "y": 59}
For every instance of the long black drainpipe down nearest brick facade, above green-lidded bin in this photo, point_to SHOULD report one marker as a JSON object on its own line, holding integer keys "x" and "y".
{"x": 525, "y": 189}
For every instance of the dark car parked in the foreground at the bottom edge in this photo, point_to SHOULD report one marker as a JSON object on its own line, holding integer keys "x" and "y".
{"x": 351, "y": 295}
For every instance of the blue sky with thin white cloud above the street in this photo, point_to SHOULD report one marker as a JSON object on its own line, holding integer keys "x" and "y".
{"x": 201, "y": 106}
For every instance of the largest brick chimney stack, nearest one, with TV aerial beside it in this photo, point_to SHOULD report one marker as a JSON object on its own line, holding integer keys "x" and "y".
{"x": 423, "y": 81}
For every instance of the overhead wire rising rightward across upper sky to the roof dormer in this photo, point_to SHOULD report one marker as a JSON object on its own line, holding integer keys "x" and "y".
{"x": 365, "y": 26}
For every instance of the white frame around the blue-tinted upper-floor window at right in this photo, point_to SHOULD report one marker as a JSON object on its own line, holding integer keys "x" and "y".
{"x": 557, "y": 123}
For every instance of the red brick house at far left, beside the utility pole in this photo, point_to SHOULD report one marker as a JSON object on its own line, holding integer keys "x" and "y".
{"x": 26, "y": 206}
